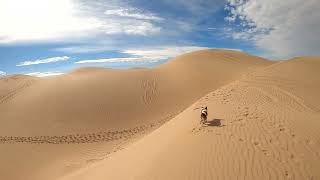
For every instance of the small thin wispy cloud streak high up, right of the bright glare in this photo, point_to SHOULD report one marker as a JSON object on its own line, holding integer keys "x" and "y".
{"x": 131, "y": 13}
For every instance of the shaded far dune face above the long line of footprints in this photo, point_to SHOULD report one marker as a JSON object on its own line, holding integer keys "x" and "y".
{"x": 94, "y": 99}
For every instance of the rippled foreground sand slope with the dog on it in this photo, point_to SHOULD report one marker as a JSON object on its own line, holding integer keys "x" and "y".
{"x": 263, "y": 126}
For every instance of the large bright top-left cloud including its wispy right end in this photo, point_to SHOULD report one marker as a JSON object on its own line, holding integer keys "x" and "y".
{"x": 65, "y": 20}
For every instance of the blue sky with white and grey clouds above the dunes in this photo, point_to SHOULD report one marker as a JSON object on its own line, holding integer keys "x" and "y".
{"x": 52, "y": 37}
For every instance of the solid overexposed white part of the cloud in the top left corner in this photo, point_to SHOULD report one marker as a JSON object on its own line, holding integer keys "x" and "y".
{"x": 39, "y": 20}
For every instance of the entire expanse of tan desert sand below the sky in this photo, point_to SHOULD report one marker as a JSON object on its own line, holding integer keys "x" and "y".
{"x": 144, "y": 123}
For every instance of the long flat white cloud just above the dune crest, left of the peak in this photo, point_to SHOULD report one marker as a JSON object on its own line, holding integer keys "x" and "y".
{"x": 147, "y": 55}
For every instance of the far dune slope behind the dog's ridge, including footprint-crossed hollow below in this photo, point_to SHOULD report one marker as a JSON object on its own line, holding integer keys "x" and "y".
{"x": 56, "y": 126}
